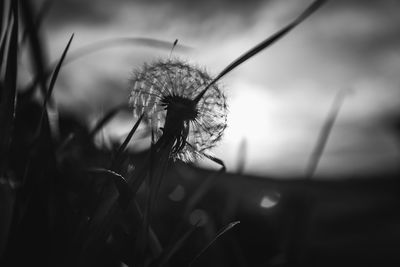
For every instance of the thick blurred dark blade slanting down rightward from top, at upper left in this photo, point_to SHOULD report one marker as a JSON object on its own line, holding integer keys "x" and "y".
{"x": 37, "y": 51}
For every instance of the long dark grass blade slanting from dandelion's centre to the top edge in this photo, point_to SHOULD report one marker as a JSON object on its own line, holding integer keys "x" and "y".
{"x": 264, "y": 44}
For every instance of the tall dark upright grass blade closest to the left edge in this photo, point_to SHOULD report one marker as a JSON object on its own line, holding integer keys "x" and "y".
{"x": 8, "y": 98}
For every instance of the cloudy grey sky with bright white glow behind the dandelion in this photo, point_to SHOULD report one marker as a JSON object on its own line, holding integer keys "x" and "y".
{"x": 278, "y": 100}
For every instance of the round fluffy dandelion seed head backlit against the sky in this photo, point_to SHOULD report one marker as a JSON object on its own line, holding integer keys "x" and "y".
{"x": 165, "y": 91}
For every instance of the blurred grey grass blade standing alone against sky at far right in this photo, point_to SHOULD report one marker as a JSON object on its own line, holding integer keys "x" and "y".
{"x": 324, "y": 133}
